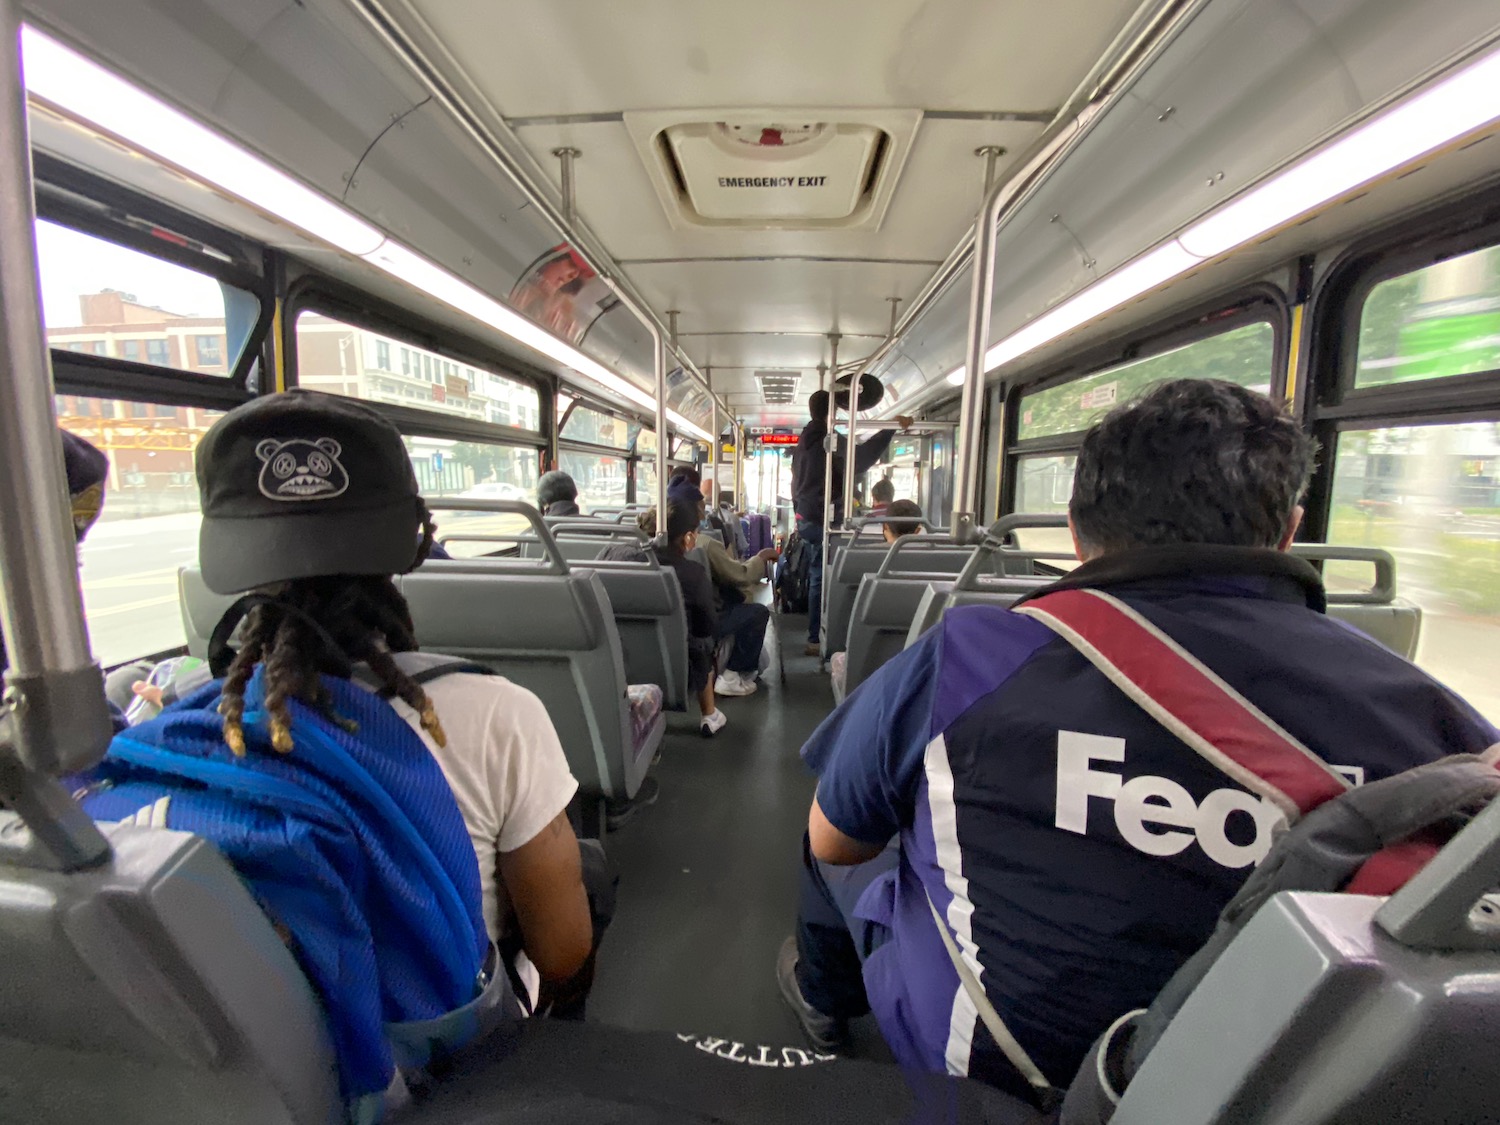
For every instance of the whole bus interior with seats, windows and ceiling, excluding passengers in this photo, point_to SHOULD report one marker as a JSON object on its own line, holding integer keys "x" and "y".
{"x": 548, "y": 235}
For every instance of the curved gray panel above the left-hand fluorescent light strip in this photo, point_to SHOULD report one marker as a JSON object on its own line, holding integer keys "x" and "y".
{"x": 353, "y": 124}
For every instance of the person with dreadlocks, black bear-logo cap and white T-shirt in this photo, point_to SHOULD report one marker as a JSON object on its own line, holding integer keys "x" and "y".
{"x": 319, "y": 544}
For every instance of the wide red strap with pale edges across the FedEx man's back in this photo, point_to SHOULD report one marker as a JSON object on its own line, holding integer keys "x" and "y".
{"x": 1187, "y": 698}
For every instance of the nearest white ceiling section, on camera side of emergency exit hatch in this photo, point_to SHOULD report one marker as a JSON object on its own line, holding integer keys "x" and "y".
{"x": 538, "y": 58}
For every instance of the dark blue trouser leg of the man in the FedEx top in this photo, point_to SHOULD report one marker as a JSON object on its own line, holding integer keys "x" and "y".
{"x": 832, "y": 944}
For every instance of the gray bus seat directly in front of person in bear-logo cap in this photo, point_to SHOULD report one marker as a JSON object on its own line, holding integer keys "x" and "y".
{"x": 539, "y": 625}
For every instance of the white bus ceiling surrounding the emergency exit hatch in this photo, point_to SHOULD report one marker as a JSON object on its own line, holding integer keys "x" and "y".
{"x": 562, "y": 73}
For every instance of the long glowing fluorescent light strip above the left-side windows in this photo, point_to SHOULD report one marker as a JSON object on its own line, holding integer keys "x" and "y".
{"x": 82, "y": 88}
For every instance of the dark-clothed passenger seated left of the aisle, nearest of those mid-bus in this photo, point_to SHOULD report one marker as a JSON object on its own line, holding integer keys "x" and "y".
{"x": 698, "y": 598}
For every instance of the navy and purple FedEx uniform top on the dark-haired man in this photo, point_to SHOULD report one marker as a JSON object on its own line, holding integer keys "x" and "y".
{"x": 1028, "y": 793}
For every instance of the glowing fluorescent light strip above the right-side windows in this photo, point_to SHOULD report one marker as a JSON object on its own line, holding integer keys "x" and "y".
{"x": 1445, "y": 112}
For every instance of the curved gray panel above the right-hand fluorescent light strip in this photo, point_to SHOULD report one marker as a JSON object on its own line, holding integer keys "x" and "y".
{"x": 1166, "y": 166}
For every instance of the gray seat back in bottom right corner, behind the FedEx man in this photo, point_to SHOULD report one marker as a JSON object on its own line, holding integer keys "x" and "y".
{"x": 1345, "y": 1010}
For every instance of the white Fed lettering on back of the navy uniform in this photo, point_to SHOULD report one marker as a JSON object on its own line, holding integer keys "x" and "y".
{"x": 1156, "y": 815}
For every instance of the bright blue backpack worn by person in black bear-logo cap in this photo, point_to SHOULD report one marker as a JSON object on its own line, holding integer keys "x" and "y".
{"x": 352, "y": 844}
